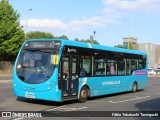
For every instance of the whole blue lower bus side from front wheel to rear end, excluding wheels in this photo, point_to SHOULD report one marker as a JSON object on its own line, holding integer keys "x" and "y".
{"x": 116, "y": 84}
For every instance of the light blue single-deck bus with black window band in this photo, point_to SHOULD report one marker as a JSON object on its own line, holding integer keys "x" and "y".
{"x": 60, "y": 70}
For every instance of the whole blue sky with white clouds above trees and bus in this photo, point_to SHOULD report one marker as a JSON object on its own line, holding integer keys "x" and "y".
{"x": 111, "y": 19}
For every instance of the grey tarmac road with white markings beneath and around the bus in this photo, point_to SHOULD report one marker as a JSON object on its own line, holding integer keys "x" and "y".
{"x": 145, "y": 100}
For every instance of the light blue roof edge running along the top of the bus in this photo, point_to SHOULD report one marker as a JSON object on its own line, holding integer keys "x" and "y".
{"x": 89, "y": 45}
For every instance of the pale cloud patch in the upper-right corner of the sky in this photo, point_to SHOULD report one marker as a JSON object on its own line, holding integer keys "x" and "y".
{"x": 144, "y": 6}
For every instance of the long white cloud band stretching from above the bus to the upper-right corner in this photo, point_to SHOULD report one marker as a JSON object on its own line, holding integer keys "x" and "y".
{"x": 112, "y": 11}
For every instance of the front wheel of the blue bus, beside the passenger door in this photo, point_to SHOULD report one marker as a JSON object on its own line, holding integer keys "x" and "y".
{"x": 83, "y": 94}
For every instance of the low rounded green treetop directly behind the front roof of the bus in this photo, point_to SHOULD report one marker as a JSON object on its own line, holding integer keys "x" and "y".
{"x": 38, "y": 34}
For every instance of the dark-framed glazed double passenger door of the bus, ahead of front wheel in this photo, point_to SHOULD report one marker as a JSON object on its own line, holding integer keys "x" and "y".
{"x": 69, "y": 77}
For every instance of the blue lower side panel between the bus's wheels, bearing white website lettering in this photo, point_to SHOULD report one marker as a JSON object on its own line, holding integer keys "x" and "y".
{"x": 111, "y": 84}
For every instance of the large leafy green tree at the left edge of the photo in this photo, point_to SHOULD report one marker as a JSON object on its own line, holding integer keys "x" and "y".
{"x": 11, "y": 33}
